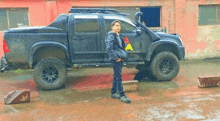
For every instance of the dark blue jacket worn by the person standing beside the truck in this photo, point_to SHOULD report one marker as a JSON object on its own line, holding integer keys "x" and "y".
{"x": 113, "y": 48}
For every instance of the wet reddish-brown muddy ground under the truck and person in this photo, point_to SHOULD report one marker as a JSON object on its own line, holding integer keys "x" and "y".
{"x": 86, "y": 96}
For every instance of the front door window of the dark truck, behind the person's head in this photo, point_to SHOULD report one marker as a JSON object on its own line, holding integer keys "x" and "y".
{"x": 125, "y": 27}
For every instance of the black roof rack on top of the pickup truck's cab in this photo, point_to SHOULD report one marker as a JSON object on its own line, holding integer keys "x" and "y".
{"x": 96, "y": 10}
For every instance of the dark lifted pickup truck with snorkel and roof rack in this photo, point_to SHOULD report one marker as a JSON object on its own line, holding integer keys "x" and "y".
{"x": 77, "y": 40}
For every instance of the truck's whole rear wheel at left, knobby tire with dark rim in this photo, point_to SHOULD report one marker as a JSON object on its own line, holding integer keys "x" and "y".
{"x": 41, "y": 70}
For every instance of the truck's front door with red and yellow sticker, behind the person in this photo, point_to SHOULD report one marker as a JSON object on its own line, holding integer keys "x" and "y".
{"x": 128, "y": 30}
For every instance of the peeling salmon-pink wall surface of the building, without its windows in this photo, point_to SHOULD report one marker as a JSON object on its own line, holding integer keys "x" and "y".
{"x": 178, "y": 16}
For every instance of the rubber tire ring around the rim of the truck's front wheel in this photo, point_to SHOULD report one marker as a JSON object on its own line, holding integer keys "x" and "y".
{"x": 154, "y": 67}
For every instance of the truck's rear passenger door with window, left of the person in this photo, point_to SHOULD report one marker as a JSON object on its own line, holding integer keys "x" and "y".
{"x": 84, "y": 39}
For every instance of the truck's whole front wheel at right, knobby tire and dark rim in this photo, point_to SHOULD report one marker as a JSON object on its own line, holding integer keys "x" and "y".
{"x": 167, "y": 59}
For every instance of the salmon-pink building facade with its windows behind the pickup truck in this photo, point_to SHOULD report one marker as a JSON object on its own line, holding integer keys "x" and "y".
{"x": 196, "y": 21}
